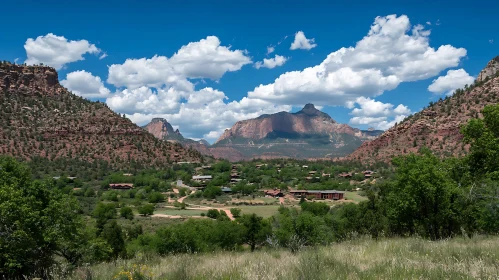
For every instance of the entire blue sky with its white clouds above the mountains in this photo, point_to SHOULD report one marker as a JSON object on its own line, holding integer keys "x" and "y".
{"x": 204, "y": 94}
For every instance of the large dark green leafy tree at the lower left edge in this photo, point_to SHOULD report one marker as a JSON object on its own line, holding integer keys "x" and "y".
{"x": 37, "y": 223}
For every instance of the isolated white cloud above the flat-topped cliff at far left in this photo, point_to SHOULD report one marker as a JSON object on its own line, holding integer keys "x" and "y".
{"x": 57, "y": 51}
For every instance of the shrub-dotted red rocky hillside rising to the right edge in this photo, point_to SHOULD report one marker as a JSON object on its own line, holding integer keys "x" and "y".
{"x": 437, "y": 126}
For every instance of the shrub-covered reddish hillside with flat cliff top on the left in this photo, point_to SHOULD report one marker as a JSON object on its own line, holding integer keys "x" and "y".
{"x": 40, "y": 118}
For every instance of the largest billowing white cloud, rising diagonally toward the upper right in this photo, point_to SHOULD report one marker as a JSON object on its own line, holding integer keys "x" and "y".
{"x": 392, "y": 52}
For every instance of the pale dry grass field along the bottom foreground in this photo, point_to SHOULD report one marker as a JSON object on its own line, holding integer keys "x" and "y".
{"x": 398, "y": 258}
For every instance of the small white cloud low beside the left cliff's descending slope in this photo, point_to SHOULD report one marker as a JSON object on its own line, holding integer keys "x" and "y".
{"x": 85, "y": 84}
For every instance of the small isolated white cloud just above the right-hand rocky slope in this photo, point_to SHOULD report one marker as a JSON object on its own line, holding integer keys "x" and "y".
{"x": 453, "y": 80}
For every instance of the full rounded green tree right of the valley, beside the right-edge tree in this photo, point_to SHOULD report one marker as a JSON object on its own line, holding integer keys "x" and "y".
{"x": 422, "y": 198}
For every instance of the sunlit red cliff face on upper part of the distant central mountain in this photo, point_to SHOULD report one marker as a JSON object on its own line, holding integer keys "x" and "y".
{"x": 307, "y": 121}
